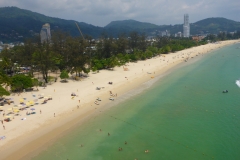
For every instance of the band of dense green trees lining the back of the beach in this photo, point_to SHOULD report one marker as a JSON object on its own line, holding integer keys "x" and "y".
{"x": 76, "y": 55}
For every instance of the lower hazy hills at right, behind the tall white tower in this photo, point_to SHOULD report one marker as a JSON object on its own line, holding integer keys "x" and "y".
{"x": 209, "y": 25}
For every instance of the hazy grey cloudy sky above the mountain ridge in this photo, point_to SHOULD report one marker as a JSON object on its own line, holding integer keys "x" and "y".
{"x": 102, "y": 12}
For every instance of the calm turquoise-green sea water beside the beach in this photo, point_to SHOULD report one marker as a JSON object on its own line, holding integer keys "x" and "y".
{"x": 183, "y": 116}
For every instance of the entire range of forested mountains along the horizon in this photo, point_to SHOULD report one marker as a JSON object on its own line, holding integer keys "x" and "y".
{"x": 17, "y": 24}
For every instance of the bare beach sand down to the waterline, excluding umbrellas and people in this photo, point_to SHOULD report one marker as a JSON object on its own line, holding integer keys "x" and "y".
{"x": 48, "y": 128}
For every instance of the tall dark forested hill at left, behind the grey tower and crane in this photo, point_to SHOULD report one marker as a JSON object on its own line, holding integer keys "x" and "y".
{"x": 16, "y": 24}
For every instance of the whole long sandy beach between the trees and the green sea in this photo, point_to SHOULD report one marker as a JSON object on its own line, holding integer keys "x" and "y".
{"x": 29, "y": 134}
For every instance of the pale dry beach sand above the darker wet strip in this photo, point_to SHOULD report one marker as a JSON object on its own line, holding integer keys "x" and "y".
{"x": 64, "y": 106}
